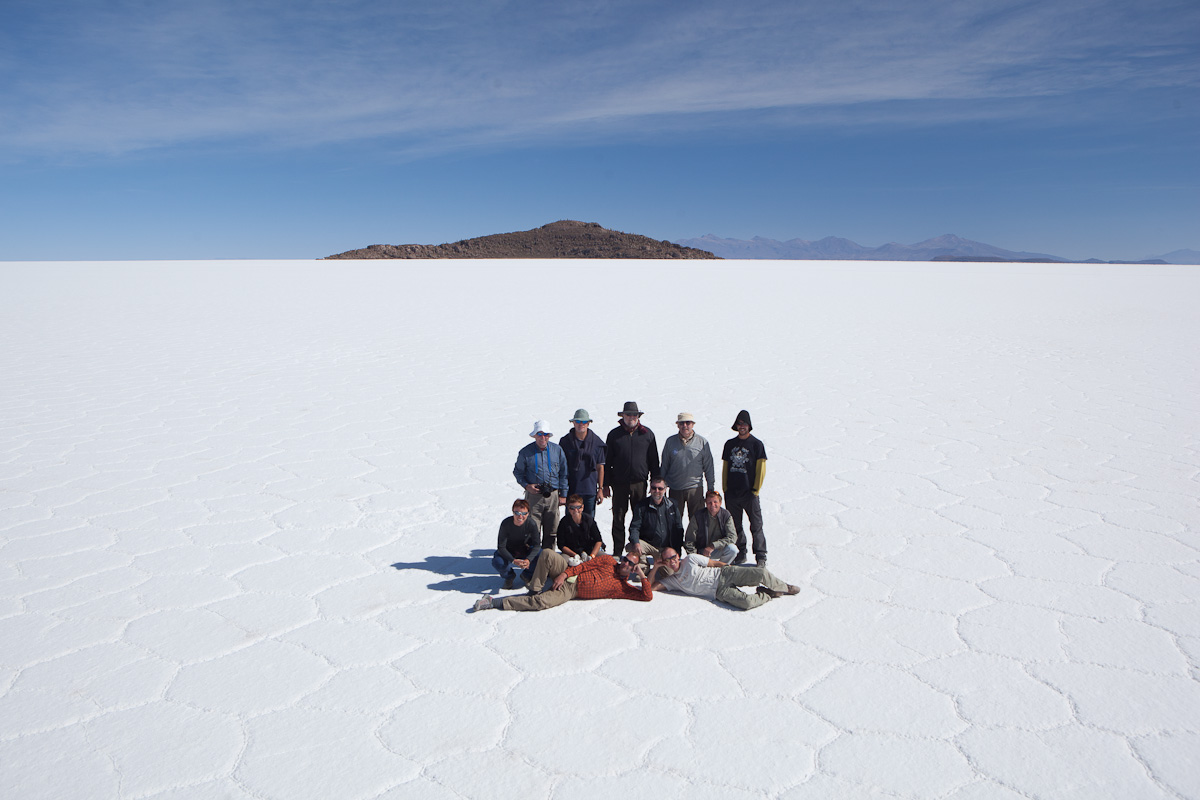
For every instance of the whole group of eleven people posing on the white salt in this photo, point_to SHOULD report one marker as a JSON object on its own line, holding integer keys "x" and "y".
{"x": 581, "y": 472}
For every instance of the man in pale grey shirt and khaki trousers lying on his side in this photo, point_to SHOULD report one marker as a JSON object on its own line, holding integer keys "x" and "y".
{"x": 704, "y": 578}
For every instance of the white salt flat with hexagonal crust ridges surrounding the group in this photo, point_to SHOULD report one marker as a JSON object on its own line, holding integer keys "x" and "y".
{"x": 245, "y": 508}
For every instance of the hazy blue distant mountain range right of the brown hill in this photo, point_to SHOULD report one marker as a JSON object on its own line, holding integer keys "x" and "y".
{"x": 945, "y": 249}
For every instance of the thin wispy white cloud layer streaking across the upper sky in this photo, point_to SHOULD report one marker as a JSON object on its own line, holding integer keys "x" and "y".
{"x": 140, "y": 75}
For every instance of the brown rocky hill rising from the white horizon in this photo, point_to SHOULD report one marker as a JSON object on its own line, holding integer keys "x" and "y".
{"x": 562, "y": 239}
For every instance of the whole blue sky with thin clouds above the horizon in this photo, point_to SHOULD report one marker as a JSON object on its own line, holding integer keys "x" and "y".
{"x": 154, "y": 129}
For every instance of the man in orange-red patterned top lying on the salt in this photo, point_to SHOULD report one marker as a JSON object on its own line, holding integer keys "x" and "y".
{"x": 598, "y": 579}
